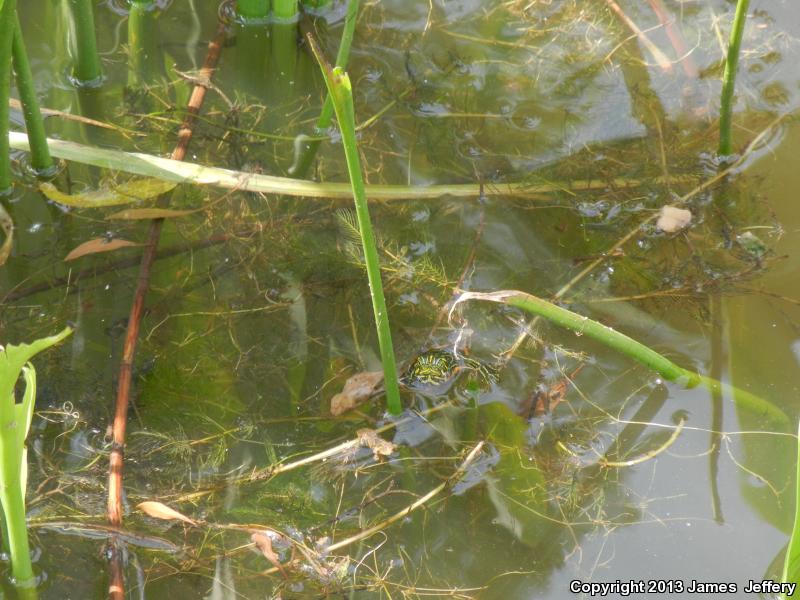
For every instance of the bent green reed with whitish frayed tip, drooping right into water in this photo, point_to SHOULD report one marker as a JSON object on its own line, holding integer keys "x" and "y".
{"x": 636, "y": 350}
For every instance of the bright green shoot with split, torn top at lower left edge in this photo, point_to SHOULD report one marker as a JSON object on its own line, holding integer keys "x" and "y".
{"x": 15, "y": 421}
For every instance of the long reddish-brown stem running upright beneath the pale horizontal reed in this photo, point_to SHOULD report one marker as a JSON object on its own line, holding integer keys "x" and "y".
{"x": 114, "y": 507}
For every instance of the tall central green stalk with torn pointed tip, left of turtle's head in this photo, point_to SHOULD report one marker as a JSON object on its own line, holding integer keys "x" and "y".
{"x": 341, "y": 93}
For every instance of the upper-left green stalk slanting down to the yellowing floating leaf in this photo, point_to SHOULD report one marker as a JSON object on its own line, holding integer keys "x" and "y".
{"x": 40, "y": 153}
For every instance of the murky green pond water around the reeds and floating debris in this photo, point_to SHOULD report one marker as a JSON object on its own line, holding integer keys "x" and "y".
{"x": 259, "y": 308}
